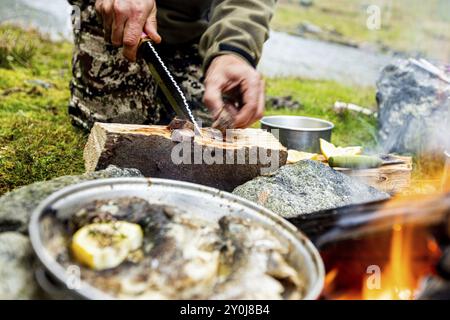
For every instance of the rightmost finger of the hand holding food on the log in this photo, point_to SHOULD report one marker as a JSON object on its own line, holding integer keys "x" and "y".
{"x": 251, "y": 93}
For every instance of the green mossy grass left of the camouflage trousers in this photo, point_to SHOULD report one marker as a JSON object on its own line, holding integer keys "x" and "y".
{"x": 37, "y": 141}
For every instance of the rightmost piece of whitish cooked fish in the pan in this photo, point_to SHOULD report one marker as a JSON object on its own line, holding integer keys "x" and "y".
{"x": 257, "y": 262}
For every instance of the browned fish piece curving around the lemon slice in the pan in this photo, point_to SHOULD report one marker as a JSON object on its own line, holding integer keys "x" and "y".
{"x": 168, "y": 233}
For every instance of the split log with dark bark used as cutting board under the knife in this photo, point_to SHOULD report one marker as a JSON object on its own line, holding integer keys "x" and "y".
{"x": 159, "y": 152}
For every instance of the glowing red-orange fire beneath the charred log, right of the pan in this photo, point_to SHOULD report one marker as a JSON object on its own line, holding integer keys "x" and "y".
{"x": 384, "y": 265}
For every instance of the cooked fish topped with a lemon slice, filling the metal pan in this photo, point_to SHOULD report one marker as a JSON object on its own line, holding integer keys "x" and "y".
{"x": 132, "y": 249}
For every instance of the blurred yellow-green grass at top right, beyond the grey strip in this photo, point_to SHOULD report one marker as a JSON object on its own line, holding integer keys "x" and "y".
{"x": 413, "y": 26}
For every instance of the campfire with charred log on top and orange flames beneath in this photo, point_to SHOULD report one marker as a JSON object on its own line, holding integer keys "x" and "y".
{"x": 384, "y": 250}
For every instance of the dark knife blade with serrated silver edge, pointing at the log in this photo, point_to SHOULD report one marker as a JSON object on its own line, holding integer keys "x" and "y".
{"x": 166, "y": 82}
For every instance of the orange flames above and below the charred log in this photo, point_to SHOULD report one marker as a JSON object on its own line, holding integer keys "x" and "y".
{"x": 411, "y": 250}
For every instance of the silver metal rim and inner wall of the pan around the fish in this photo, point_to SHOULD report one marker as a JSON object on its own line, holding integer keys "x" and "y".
{"x": 208, "y": 203}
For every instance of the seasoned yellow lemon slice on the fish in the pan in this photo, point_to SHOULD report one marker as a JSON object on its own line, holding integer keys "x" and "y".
{"x": 103, "y": 246}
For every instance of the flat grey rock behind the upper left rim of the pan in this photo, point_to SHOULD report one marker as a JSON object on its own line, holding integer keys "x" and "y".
{"x": 16, "y": 206}
